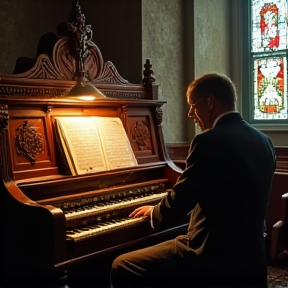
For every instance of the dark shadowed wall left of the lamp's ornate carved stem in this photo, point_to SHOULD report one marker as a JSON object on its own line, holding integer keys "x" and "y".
{"x": 23, "y": 23}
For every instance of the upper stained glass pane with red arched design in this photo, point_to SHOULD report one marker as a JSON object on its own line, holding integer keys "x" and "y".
{"x": 269, "y": 25}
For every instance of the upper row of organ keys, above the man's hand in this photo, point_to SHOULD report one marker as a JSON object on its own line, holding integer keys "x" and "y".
{"x": 104, "y": 207}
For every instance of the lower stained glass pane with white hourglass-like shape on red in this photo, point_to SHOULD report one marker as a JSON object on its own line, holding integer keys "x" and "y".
{"x": 270, "y": 88}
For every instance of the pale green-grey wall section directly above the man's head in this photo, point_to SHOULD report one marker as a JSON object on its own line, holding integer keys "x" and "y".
{"x": 212, "y": 36}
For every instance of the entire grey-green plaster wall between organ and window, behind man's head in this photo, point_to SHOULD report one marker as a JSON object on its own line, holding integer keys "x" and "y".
{"x": 184, "y": 39}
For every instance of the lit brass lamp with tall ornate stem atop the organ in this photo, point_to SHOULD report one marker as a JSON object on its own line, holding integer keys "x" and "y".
{"x": 81, "y": 34}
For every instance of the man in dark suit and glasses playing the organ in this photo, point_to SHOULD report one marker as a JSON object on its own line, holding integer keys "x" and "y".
{"x": 225, "y": 188}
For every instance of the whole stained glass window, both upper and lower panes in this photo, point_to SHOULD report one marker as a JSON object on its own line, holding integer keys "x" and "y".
{"x": 269, "y": 46}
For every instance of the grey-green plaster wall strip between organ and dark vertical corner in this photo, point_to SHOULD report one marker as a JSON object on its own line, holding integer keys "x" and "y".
{"x": 163, "y": 42}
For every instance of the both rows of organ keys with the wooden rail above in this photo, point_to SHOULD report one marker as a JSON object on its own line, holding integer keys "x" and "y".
{"x": 99, "y": 213}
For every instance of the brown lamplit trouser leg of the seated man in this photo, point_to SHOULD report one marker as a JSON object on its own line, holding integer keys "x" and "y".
{"x": 156, "y": 266}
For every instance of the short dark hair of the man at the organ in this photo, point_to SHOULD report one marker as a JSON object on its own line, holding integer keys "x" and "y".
{"x": 216, "y": 84}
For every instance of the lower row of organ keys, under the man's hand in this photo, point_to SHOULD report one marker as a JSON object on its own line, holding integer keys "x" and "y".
{"x": 83, "y": 233}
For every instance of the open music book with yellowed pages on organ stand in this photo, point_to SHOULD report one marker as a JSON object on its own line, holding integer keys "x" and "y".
{"x": 93, "y": 144}
